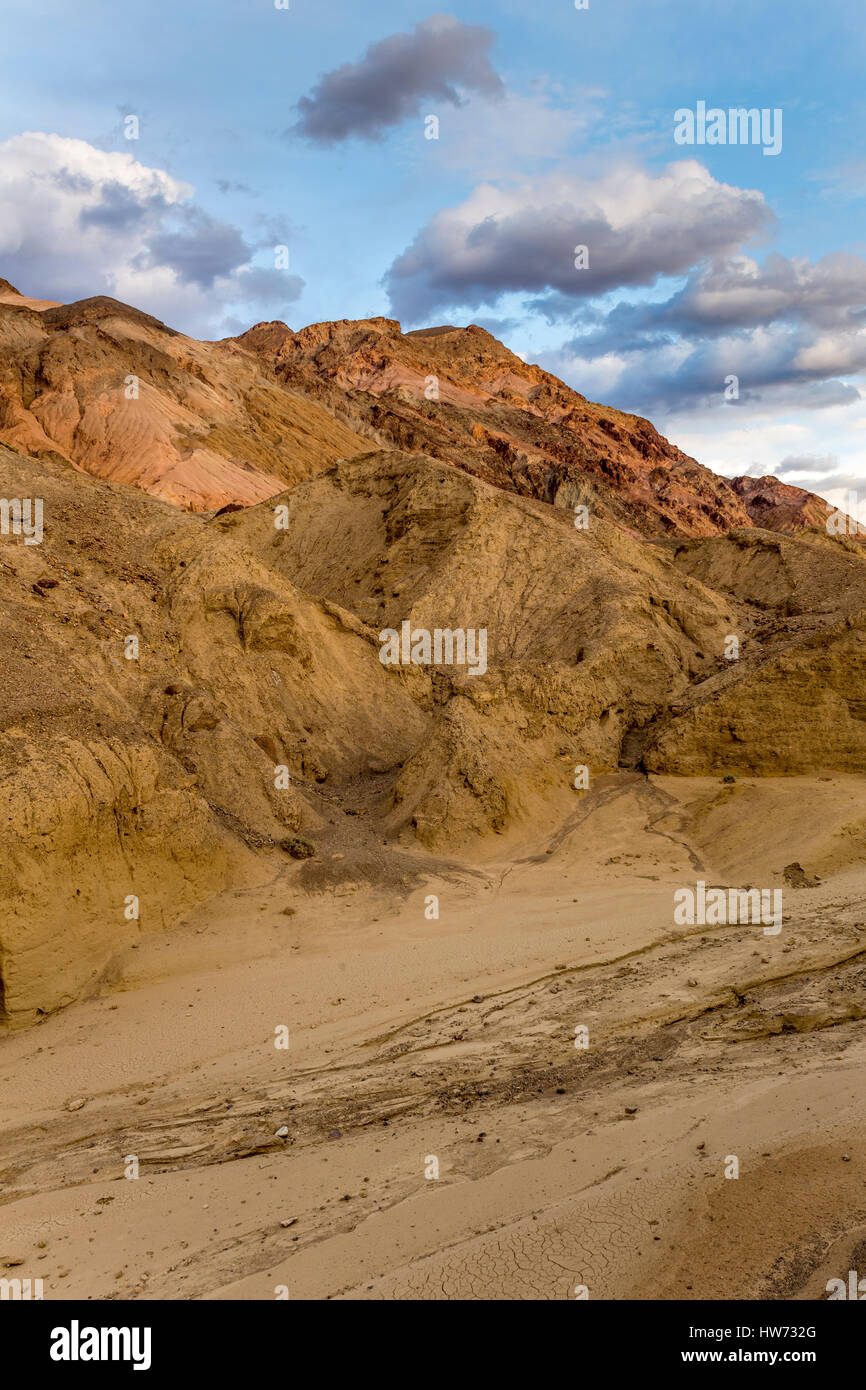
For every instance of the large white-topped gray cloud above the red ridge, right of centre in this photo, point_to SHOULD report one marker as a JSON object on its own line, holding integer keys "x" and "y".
{"x": 636, "y": 229}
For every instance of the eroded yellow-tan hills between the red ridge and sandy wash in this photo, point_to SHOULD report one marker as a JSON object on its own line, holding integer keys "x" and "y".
{"x": 186, "y": 700}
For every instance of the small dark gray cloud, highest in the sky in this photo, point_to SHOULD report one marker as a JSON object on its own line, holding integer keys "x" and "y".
{"x": 439, "y": 60}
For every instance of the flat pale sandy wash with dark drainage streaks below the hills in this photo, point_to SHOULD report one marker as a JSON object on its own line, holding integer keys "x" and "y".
{"x": 455, "y": 1039}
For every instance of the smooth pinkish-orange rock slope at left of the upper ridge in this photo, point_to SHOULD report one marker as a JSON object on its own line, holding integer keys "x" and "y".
{"x": 117, "y": 394}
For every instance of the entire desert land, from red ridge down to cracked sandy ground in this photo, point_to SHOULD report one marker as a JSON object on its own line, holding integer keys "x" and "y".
{"x": 433, "y": 817}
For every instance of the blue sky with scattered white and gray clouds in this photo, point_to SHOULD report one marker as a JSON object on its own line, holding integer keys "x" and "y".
{"x": 534, "y": 167}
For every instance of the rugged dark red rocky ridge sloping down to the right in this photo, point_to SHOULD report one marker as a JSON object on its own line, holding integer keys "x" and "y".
{"x": 459, "y": 395}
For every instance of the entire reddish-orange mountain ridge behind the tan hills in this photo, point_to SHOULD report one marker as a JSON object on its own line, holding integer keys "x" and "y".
{"x": 116, "y": 393}
